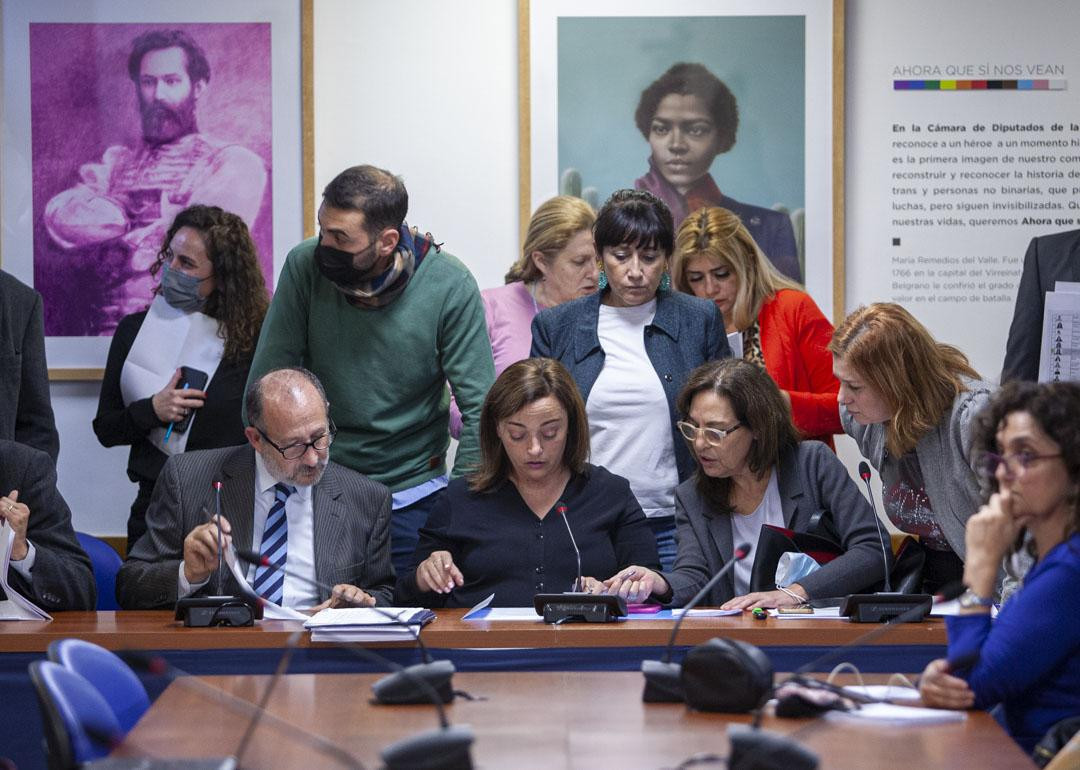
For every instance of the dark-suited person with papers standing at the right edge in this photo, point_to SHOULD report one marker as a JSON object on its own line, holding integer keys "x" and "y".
{"x": 1049, "y": 260}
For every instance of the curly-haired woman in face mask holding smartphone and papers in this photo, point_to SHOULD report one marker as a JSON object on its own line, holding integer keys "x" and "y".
{"x": 209, "y": 305}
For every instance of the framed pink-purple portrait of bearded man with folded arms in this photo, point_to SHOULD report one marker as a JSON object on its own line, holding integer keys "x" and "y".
{"x": 117, "y": 116}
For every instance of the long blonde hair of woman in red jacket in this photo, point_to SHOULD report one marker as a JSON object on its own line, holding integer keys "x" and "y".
{"x": 721, "y": 236}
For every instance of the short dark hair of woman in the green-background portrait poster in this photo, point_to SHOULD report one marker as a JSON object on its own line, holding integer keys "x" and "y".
{"x": 690, "y": 79}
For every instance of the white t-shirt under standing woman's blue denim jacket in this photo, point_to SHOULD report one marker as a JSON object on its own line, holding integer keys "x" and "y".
{"x": 629, "y": 420}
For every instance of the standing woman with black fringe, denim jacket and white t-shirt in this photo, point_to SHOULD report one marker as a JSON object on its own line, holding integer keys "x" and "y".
{"x": 630, "y": 348}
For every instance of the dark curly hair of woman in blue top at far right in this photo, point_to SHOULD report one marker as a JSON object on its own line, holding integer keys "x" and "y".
{"x": 1056, "y": 408}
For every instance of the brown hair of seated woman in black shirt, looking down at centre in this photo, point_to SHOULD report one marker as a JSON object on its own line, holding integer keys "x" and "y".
{"x": 518, "y": 387}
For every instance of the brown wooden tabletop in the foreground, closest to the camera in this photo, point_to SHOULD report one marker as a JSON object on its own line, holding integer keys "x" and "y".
{"x": 533, "y": 721}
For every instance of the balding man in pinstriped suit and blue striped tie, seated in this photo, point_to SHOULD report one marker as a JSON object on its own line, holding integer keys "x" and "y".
{"x": 280, "y": 496}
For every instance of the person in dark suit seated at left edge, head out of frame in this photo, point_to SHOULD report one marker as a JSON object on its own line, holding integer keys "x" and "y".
{"x": 47, "y": 564}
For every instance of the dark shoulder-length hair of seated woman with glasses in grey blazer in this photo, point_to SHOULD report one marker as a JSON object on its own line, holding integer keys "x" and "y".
{"x": 759, "y": 407}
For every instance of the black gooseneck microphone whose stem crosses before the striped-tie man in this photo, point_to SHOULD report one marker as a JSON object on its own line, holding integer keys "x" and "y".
{"x": 400, "y": 688}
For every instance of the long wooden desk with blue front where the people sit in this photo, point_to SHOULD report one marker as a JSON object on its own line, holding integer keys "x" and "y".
{"x": 471, "y": 646}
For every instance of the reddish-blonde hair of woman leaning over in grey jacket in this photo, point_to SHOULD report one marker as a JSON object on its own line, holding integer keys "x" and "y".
{"x": 917, "y": 376}
